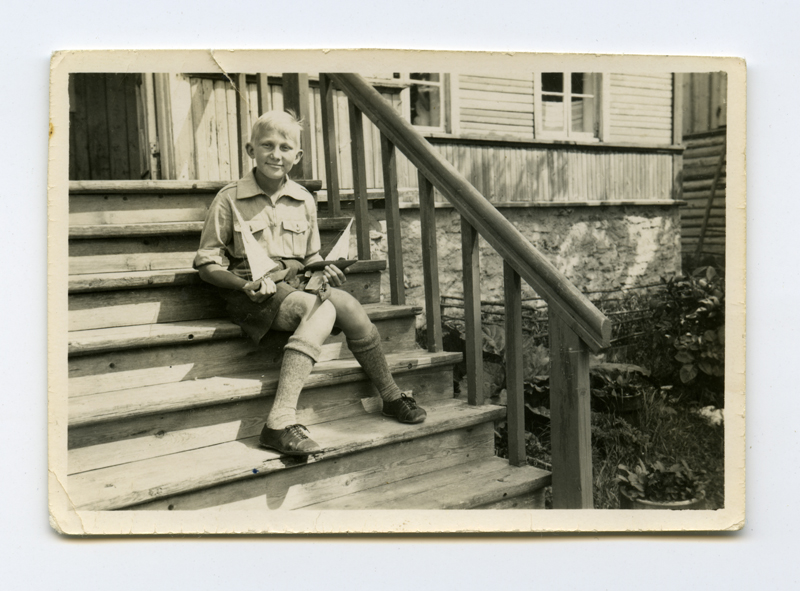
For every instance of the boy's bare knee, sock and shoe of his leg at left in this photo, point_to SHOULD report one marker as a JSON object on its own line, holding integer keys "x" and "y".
{"x": 312, "y": 322}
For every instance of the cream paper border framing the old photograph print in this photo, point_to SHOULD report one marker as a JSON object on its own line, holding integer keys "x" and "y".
{"x": 65, "y": 518}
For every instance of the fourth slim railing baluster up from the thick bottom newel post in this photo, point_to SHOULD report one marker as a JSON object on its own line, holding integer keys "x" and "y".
{"x": 392, "y": 197}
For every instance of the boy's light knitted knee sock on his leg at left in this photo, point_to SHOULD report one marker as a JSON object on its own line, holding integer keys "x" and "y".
{"x": 298, "y": 361}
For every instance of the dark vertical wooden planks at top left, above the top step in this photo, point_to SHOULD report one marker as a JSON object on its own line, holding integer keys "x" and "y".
{"x": 104, "y": 137}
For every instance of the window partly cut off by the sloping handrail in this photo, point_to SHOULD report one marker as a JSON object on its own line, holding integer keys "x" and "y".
{"x": 424, "y": 99}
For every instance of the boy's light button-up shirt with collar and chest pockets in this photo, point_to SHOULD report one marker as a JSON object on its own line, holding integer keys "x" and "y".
{"x": 285, "y": 225}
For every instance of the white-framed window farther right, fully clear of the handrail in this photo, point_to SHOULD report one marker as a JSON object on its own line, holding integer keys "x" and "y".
{"x": 566, "y": 105}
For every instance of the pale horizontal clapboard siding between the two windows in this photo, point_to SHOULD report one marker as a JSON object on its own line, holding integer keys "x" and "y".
{"x": 489, "y": 105}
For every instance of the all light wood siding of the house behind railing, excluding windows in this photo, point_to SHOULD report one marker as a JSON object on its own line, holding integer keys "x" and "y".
{"x": 205, "y": 141}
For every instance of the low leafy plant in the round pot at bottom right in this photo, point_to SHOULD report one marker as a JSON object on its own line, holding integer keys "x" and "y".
{"x": 654, "y": 482}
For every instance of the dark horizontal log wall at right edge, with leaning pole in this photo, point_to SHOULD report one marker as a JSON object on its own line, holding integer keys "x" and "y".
{"x": 701, "y": 159}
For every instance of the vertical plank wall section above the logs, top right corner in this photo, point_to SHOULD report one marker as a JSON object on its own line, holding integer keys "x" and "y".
{"x": 705, "y": 100}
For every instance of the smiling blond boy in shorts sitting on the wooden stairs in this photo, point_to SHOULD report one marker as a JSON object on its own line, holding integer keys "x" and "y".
{"x": 281, "y": 216}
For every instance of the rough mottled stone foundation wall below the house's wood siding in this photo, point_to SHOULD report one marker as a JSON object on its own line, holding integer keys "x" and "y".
{"x": 597, "y": 247}
